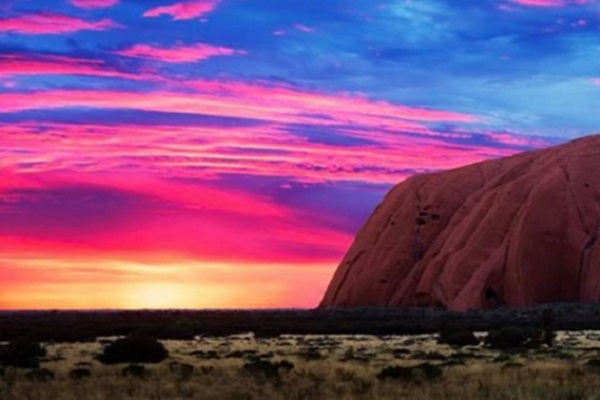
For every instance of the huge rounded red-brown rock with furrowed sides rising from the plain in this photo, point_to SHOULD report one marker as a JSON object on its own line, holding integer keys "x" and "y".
{"x": 520, "y": 230}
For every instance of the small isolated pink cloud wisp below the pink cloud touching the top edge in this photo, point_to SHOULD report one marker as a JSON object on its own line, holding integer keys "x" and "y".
{"x": 178, "y": 53}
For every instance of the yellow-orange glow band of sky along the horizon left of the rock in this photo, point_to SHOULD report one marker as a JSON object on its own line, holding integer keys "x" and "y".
{"x": 45, "y": 283}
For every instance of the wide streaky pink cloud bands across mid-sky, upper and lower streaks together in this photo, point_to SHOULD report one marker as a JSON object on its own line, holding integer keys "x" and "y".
{"x": 397, "y": 140}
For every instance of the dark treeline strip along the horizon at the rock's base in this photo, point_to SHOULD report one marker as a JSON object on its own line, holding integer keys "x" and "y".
{"x": 78, "y": 326}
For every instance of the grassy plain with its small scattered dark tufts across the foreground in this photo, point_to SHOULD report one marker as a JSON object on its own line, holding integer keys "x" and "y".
{"x": 348, "y": 367}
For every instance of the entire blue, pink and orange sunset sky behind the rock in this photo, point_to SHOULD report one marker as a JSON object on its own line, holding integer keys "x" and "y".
{"x": 223, "y": 153}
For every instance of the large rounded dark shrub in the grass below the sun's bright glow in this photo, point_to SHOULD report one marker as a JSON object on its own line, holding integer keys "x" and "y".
{"x": 133, "y": 349}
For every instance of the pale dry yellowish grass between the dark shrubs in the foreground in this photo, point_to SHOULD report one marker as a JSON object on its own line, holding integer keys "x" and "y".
{"x": 346, "y": 369}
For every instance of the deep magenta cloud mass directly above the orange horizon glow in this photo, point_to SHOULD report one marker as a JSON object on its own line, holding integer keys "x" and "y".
{"x": 170, "y": 217}
